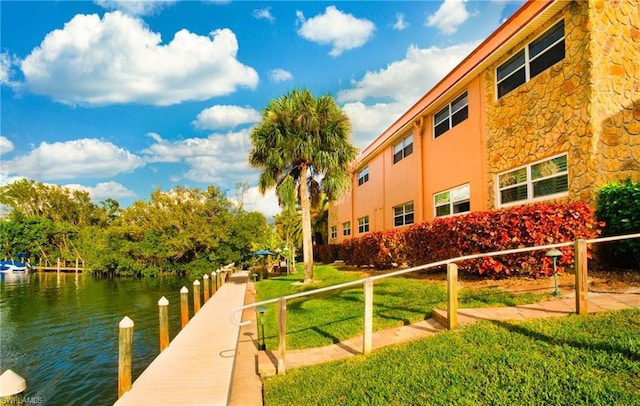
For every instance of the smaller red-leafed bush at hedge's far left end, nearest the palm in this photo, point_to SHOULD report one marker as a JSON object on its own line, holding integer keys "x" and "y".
{"x": 380, "y": 249}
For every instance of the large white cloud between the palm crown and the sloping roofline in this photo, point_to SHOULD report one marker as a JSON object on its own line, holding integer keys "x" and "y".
{"x": 401, "y": 84}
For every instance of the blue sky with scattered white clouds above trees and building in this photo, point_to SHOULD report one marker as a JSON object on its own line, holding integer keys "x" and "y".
{"x": 119, "y": 98}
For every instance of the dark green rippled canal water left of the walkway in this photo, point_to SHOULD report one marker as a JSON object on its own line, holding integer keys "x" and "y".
{"x": 60, "y": 331}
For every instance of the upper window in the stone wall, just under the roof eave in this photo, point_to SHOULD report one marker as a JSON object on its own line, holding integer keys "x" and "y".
{"x": 533, "y": 59}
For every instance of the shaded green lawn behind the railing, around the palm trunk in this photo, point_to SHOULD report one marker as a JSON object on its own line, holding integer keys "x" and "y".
{"x": 334, "y": 316}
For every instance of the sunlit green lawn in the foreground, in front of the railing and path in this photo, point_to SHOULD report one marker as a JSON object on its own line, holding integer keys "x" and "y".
{"x": 574, "y": 360}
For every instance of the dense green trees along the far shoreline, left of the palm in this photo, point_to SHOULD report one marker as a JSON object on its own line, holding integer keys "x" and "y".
{"x": 179, "y": 232}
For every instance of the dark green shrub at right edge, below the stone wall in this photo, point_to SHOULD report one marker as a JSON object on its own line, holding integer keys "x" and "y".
{"x": 618, "y": 207}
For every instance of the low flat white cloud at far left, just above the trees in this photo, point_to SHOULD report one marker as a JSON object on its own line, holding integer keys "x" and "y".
{"x": 84, "y": 157}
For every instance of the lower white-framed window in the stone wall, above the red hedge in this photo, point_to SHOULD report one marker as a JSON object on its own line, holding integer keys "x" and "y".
{"x": 535, "y": 181}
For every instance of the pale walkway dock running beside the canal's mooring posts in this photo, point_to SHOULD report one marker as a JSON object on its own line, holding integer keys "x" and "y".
{"x": 197, "y": 367}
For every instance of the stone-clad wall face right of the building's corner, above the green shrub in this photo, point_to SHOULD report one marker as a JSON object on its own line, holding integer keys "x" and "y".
{"x": 615, "y": 50}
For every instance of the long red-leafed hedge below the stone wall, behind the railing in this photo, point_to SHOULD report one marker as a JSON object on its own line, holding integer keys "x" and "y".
{"x": 518, "y": 227}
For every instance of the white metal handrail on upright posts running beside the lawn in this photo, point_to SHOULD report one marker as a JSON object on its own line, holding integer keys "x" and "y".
{"x": 580, "y": 258}
